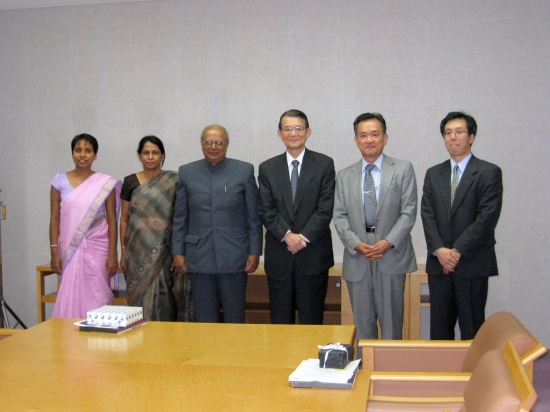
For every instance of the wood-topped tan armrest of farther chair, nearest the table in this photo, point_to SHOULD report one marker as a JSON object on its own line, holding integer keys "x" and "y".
{"x": 413, "y": 356}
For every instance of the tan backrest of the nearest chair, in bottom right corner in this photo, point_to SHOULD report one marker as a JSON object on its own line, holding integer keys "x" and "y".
{"x": 500, "y": 383}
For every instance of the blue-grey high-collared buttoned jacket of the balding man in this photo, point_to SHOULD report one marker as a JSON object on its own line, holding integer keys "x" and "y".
{"x": 216, "y": 223}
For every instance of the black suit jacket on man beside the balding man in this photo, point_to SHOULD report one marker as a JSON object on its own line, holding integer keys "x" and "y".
{"x": 310, "y": 215}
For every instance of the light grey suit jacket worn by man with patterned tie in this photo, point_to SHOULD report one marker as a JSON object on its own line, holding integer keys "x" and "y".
{"x": 395, "y": 217}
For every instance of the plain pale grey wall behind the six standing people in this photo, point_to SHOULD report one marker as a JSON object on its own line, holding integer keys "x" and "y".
{"x": 120, "y": 71}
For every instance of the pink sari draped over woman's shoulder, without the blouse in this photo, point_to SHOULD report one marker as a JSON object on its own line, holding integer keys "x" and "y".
{"x": 84, "y": 249}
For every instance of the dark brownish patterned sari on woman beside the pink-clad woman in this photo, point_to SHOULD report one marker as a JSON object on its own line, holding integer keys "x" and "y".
{"x": 148, "y": 259}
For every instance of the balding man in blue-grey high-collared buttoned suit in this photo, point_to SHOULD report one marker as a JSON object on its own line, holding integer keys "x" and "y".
{"x": 217, "y": 233}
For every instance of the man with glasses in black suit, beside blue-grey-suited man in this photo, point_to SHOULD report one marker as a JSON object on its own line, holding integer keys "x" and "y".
{"x": 296, "y": 198}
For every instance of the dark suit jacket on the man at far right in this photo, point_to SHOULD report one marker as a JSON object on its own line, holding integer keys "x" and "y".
{"x": 469, "y": 225}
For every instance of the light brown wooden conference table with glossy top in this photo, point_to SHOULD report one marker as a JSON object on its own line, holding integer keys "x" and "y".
{"x": 169, "y": 367}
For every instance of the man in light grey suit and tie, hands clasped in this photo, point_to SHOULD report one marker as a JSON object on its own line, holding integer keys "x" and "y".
{"x": 374, "y": 212}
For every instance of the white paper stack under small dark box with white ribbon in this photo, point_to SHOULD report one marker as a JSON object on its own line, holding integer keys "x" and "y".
{"x": 310, "y": 375}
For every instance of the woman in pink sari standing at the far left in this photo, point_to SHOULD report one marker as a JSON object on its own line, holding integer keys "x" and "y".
{"x": 83, "y": 233}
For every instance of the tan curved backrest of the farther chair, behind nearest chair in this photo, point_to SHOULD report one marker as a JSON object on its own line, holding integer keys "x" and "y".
{"x": 498, "y": 329}
